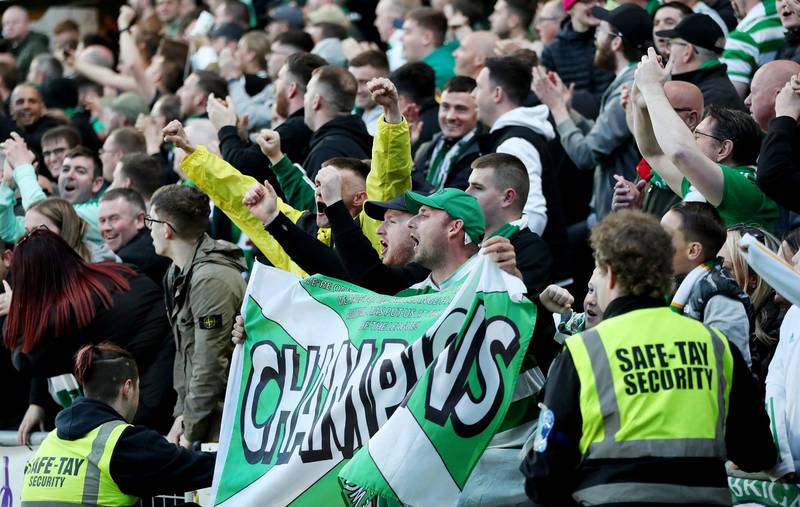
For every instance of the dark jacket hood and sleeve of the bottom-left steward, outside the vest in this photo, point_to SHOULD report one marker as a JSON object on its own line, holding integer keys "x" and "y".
{"x": 143, "y": 463}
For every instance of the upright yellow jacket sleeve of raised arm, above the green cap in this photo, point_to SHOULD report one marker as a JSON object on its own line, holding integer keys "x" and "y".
{"x": 390, "y": 171}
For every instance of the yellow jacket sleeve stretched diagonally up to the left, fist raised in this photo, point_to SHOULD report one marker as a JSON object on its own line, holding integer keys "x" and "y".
{"x": 226, "y": 187}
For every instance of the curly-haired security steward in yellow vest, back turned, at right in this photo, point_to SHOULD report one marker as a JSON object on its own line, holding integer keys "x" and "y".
{"x": 645, "y": 408}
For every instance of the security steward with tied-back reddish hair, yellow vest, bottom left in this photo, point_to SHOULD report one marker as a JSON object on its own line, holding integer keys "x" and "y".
{"x": 95, "y": 457}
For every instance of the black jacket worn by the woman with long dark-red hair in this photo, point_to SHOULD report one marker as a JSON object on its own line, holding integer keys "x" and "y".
{"x": 136, "y": 321}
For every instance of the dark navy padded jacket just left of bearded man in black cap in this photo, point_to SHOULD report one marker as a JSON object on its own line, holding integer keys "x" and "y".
{"x": 571, "y": 55}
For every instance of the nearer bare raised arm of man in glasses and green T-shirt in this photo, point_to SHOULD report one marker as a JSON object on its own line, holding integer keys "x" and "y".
{"x": 673, "y": 136}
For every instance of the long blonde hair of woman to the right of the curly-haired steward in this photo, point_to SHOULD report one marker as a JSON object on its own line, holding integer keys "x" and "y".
{"x": 761, "y": 293}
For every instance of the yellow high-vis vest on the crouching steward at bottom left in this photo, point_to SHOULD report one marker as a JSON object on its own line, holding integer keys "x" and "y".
{"x": 66, "y": 473}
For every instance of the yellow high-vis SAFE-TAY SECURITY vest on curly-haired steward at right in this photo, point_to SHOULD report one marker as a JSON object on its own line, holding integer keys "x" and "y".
{"x": 652, "y": 384}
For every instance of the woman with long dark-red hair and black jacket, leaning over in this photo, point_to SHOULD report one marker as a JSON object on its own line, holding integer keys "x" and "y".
{"x": 60, "y": 303}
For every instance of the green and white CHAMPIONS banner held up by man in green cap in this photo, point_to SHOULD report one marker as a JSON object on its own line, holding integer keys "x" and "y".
{"x": 340, "y": 395}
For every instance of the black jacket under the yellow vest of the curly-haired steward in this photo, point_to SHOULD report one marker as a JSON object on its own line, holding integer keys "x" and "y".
{"x": 553, "y": 475}
